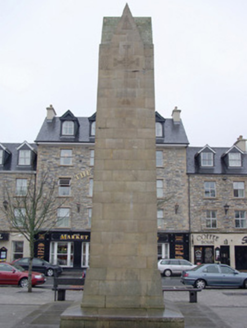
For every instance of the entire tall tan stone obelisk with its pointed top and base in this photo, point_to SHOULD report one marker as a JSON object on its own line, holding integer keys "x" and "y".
{"x": 123, "y": 286}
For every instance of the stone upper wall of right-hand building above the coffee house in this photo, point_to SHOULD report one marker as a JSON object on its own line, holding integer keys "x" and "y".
{"x": 199, "y": 204}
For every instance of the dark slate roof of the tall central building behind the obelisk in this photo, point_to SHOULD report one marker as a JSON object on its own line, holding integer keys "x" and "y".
{"x": 174, "y": 133}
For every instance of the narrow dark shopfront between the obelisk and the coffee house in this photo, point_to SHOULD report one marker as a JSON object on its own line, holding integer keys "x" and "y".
{"x": 173, "y": 245}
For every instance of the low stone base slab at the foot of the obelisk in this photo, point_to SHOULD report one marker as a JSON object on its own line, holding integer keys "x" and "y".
{"x": 76, "y": 317}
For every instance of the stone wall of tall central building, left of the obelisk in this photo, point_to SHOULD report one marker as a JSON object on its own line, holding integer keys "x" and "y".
{"x": 80, "y": 172}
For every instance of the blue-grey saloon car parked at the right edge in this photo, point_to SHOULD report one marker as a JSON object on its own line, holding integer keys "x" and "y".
{"x": 221, "y": 275}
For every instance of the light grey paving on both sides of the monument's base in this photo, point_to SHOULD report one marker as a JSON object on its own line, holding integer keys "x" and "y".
{"x": 221, "y": 308}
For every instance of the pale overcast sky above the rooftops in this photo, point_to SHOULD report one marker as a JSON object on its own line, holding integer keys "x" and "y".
{"x": 49, "y": 55}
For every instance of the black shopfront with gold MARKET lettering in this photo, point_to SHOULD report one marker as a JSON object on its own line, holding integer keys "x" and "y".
{"x": 68, "y": 249}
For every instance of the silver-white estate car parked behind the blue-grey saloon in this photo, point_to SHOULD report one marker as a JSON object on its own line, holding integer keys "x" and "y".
{"x": 167, "y": 267}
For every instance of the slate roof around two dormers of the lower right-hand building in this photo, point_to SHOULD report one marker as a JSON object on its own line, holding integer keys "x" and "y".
{"x": 219, "y": 167}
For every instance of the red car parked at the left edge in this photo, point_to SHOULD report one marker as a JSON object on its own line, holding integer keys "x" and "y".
{"x": 13, "y": 274}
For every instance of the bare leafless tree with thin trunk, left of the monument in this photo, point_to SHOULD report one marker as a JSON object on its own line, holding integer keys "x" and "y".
{"x": 34, "y": 209}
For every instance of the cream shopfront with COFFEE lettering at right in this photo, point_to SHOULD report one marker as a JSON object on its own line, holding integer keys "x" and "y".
{"x": 230, "y": 249}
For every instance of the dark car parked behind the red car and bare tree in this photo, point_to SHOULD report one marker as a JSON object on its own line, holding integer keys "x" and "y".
{"x": 39, "y": 265}
